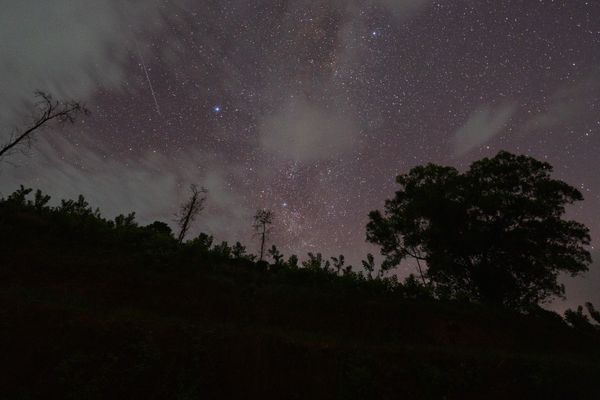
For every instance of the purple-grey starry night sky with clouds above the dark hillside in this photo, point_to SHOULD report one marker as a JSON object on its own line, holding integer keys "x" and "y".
{"x": 309, "y": 108}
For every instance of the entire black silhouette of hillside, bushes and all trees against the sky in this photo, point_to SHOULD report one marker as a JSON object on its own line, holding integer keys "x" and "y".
{"x": 94, "y": 308}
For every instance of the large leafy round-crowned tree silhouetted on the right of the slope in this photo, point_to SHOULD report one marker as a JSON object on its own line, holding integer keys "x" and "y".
{"x": 493, "y": 234}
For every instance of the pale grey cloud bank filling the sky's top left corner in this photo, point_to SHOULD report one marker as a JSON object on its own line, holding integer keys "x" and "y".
{"x": 68, "y": 48}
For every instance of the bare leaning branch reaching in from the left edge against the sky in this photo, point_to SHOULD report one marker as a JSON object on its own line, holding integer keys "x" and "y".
{"x": 47, "y": 109}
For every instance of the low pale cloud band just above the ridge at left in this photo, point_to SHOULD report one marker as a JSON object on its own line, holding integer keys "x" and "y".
{"x": 151, "y": 185}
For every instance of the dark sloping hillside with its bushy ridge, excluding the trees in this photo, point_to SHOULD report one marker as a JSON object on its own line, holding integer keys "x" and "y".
{"x": 95, "y": 308}
